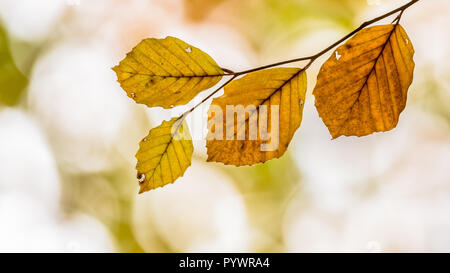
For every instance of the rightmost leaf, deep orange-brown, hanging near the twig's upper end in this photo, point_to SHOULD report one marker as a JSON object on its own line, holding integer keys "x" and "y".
{"x": 362, "y": 88}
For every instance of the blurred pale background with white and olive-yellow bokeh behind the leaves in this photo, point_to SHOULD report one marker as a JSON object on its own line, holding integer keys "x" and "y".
{"x": 68, "y": 135}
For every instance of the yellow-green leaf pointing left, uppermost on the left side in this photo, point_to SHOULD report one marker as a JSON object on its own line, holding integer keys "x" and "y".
{"x": 166, "y": 72}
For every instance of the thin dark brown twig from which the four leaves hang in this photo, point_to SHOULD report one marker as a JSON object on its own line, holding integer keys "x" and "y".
{"x": 311, "y": 58}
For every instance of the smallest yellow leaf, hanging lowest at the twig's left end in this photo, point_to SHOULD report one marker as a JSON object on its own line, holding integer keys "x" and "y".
{"x": 164, "y": 155}
